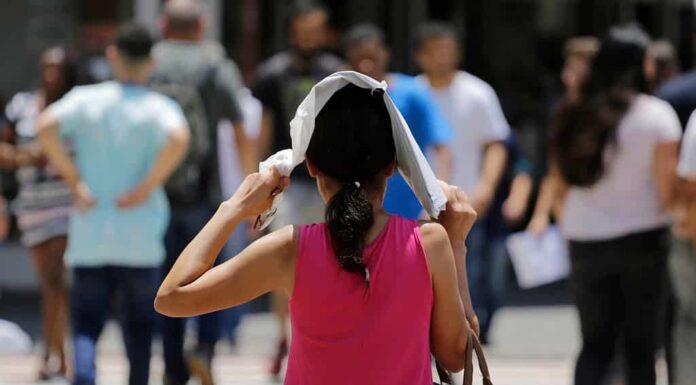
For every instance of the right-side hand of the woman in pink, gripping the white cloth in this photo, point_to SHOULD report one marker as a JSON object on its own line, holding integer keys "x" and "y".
{"x": 459, "y": 216}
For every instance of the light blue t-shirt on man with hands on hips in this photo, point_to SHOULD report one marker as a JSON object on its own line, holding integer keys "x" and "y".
{"x": 117, "y": 131}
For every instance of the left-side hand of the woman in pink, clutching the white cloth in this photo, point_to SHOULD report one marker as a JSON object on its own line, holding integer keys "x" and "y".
{"x": 256, "y": 193}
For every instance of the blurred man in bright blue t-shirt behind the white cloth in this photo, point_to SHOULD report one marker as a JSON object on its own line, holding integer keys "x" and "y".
{"x": 367, "y": 52}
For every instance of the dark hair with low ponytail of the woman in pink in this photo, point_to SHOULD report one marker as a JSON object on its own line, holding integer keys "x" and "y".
{"x": 352, "y": 143}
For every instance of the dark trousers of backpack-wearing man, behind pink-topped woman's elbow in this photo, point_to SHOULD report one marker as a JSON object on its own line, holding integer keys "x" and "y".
{"x": 184, "y": 225}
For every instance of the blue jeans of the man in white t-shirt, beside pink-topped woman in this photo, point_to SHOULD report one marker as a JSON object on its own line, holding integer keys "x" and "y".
{"x": 487, "y": 265}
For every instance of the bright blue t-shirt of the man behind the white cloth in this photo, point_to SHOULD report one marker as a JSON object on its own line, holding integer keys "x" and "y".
{"x": 428, "y": 126}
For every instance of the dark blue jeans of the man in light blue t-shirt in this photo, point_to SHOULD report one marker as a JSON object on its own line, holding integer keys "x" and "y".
{"x": 92, "y": 292}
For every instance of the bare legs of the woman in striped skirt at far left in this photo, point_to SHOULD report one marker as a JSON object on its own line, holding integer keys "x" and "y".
{"x": 48, "y": 261}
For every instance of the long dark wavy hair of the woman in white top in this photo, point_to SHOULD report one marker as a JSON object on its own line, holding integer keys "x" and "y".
{"x": 584, "y": 129}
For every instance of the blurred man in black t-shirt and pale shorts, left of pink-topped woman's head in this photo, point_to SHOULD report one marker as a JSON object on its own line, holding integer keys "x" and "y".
{"x": 281, "y": 83}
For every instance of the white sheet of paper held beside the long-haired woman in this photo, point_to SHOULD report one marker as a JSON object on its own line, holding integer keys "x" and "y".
{"x": 538, "y": 260}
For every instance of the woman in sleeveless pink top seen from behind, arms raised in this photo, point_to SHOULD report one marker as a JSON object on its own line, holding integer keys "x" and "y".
{"x": 371, "y": 293}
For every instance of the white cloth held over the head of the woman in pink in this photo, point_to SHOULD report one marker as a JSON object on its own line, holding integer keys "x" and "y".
{"x": 411, "y": 162}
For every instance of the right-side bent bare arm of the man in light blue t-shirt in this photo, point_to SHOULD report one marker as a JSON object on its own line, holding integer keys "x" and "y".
{"x": 169, "y": 157}
